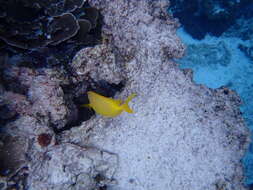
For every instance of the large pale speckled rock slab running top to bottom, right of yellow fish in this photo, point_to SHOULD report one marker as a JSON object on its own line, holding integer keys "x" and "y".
{"x": 182, "y": 136}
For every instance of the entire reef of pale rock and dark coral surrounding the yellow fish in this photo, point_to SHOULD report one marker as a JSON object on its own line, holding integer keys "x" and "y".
{"x": 183, "y": 135}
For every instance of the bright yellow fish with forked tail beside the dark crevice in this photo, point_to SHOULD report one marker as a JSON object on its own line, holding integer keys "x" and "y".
{"x": 107, "y": 106}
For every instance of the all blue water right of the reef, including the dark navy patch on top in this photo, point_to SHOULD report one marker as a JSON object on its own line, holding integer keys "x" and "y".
{"x": 219, "y": 44}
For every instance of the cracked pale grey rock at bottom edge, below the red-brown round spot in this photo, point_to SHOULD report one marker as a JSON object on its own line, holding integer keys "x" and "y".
{"x": 68, "y": 166}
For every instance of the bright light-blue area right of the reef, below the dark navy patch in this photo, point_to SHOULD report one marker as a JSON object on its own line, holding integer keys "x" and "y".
{"x": 216, "y": 62}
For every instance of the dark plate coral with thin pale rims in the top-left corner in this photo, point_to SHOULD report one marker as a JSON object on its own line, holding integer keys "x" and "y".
{"x": 48, "y": 29}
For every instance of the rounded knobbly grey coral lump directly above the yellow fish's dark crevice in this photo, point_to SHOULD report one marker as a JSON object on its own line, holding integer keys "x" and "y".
{"x": 98, "y": 63}
